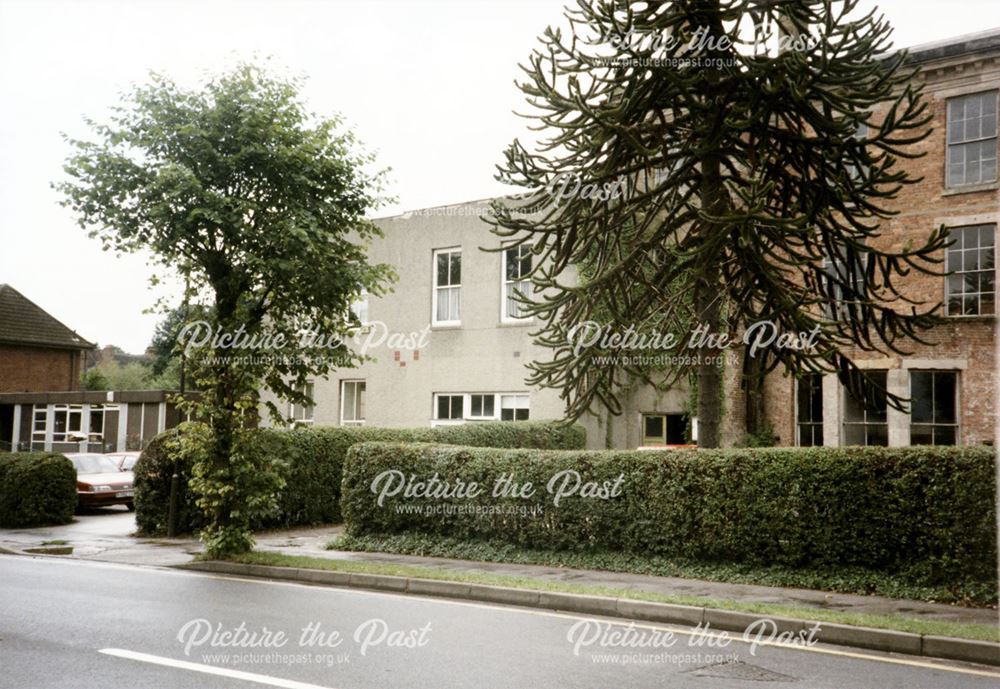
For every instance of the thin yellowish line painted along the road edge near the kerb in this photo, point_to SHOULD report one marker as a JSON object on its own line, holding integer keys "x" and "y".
{"x": 528, "y": 611}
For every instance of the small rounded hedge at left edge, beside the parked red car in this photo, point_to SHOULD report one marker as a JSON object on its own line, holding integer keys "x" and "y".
{"x": 36, "y": 489}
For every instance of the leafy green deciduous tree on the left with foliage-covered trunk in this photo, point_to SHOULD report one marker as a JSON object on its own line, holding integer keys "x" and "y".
{"x": 260, "y": 206}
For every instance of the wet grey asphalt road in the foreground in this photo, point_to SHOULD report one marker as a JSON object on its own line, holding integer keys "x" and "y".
{"x": 73, "y": 625}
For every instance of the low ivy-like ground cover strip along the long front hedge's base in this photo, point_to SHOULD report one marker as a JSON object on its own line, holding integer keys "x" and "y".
{"x": 856, "y": 580}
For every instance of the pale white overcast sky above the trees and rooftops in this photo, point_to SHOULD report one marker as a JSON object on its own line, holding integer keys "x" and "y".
{"x": 427, "y": 86}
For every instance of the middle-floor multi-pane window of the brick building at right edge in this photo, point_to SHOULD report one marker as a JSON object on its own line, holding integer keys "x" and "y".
{"x": 971, "y": 289}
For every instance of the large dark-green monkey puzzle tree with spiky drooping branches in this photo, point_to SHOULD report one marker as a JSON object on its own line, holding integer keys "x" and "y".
{"x": 754, "y": 149}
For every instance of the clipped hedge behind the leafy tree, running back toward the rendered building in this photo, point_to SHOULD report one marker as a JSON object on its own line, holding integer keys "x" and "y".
{"x": 314, "y": 458}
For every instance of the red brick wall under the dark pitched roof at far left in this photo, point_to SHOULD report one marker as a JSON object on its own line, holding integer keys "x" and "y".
{"x": 36, "y": 369}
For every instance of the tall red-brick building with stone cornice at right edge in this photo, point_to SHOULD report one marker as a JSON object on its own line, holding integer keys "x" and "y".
{"x": 953, "y": 382}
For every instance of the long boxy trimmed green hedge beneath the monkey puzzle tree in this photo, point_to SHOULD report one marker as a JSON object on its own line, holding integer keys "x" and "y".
{"x": 928, "y": 513}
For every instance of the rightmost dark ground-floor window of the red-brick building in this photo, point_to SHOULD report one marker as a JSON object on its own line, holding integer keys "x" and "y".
{"x": 933, "y": 415}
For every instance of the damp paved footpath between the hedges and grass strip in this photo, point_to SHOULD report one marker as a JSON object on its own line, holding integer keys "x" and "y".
{"x": 106, "y": 535}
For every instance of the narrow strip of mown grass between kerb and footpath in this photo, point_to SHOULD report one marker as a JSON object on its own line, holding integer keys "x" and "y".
{"x": 978, "y": 632}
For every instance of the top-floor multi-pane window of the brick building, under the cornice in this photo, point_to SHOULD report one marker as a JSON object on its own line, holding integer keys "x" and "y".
{"x": 972, "y": 139}
